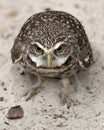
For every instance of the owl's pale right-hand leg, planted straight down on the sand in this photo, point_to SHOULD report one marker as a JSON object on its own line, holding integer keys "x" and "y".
{"x": 65, "y": 92}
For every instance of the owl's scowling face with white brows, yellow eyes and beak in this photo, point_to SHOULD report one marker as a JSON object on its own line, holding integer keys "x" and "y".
{"x": 50, "y": 58}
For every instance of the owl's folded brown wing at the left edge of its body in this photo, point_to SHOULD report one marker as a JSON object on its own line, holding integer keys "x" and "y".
{"x": 17, "y": 51}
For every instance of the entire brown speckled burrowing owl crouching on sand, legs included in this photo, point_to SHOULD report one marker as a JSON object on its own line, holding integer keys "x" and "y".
{"x": 52, "y": 44}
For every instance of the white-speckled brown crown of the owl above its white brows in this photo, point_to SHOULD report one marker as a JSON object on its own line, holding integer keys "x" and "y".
{"x": 49, "y": 28}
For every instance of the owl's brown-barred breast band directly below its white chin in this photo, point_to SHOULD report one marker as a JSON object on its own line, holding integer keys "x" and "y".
{"x": 64, "y": 71}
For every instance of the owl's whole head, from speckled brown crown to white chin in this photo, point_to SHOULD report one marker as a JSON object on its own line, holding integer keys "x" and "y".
{"x": 50, "y": 38}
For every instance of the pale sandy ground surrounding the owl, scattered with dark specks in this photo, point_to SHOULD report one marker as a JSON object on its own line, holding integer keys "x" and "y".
{"x": 43, "y": 111}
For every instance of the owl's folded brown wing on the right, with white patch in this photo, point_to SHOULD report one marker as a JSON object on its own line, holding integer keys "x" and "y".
{"x": 86, "y": 57}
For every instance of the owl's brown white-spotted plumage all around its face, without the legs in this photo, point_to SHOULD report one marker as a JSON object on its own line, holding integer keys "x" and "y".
{"x": 49, "y": 28}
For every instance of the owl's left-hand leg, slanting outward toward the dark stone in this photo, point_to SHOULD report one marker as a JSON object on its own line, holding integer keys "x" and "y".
{"x": 34, "y": 89}
